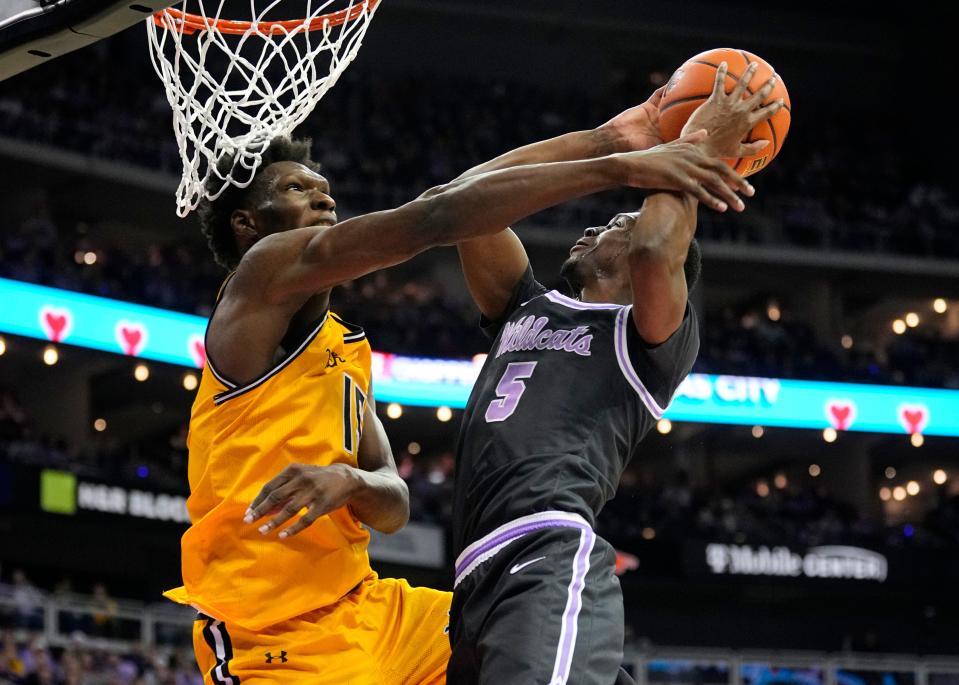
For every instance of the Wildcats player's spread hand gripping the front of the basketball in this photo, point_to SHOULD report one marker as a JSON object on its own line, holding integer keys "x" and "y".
{"x": 729, "y": 117}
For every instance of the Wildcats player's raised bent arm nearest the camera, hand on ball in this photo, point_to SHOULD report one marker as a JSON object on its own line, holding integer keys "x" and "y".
{"x": 661, "y": 232}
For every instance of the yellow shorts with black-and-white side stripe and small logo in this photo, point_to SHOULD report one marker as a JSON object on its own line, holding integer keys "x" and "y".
{"x": 383, "y": 633}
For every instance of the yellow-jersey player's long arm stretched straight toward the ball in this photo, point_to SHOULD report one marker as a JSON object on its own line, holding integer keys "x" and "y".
{"x": 291, "y": 265}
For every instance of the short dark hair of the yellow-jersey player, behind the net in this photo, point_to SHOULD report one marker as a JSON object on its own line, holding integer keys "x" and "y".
{"x": 215, "y": 215}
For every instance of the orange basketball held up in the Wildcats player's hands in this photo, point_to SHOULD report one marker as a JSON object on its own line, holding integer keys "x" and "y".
{"x": 692, "y": 84}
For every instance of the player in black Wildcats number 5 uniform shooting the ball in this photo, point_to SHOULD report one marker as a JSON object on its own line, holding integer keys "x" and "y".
{"x": 569, "y": 389}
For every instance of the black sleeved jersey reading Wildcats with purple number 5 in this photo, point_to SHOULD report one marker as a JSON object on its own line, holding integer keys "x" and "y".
{"x": 565, "y": 396}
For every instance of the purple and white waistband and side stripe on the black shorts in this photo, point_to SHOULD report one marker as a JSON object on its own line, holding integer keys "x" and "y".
{"x": 485, "y": 548}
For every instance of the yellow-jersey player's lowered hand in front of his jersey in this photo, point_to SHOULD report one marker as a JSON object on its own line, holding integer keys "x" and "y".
{"x": 318, "y": 489}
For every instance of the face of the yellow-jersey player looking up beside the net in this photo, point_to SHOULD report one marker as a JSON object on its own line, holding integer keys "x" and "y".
{"x": 293, "y": 197}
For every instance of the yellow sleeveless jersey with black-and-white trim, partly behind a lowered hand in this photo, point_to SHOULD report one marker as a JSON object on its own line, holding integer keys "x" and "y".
{"x": 308, "y": 408}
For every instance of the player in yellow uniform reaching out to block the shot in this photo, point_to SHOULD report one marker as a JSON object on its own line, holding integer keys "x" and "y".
{"x": 283, "y": 425}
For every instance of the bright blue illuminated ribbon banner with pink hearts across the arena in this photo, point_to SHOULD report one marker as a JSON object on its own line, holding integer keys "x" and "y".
{"x": 59, "y": 316}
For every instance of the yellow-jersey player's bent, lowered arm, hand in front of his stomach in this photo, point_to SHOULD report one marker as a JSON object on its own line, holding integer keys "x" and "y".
{"x": 374, "y": 492}
